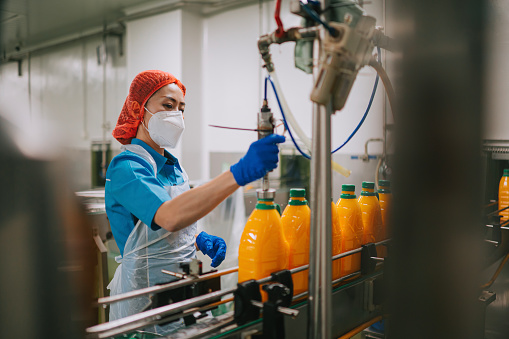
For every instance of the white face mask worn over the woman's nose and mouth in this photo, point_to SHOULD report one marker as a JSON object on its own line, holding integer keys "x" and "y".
{"x": 166, "y": 127}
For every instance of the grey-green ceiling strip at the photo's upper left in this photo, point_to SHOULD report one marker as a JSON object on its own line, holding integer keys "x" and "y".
{"x": 28, "y": 23}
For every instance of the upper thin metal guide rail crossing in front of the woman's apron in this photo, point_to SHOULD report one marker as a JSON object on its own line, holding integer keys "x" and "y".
{"x": 166, "y": 287}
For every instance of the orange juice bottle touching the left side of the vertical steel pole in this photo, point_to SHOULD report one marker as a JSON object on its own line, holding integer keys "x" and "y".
{"x": 295, "y": 221}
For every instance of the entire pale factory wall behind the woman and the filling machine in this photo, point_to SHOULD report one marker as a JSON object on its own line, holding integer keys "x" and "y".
{"x": 217, "y": 58}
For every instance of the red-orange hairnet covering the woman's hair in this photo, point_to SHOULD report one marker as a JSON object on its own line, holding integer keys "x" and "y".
{"x": 143, "y": 86}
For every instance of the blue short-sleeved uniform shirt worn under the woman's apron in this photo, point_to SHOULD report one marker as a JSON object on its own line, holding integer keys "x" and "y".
{"x": 132, "y": 192}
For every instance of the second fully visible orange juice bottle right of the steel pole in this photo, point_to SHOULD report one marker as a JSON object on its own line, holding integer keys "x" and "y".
{"x": 371, "y": 215}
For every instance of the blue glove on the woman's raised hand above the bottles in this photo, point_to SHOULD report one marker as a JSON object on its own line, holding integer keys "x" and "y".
{"x": 261, "y": 157}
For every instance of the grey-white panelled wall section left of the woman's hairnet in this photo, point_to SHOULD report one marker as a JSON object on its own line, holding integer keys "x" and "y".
{"x": 68, "y": 94}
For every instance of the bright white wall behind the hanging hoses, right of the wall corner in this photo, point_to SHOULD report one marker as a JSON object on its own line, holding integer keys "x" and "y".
{"x": 242, "y": 80}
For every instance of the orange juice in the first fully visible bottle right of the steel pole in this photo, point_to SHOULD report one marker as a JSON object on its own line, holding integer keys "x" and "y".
{"x": 350, "y": 223}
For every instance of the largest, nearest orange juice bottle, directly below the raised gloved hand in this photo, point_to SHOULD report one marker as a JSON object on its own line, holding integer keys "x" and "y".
{"x": 263, "y": 248}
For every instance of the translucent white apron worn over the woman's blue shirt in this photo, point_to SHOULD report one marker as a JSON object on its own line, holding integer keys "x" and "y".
{"x": 147, "y": 252}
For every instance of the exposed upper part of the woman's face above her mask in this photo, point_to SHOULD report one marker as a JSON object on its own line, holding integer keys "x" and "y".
{"x": 167, "y": 98}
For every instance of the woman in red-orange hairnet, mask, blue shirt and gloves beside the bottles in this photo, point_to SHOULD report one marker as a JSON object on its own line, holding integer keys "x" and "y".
{"x": 150, "y": 207}
